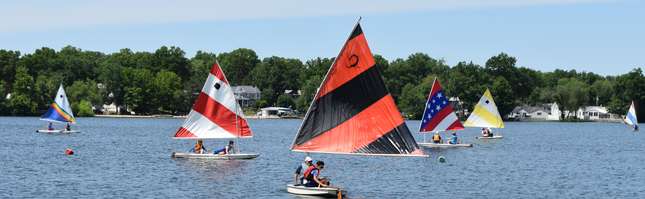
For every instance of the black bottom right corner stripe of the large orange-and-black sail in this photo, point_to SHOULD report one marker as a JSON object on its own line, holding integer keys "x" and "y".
{"x": 398, "y": 141}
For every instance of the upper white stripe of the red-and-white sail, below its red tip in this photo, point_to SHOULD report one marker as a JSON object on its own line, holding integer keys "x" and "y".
{"x": 221, "y": 92}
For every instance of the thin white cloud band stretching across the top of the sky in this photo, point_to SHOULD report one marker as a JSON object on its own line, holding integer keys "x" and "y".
{"x": 42, "y": 15}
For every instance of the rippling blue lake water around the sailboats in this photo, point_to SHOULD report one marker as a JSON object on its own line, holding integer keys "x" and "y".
{"x": 130, "y": 158}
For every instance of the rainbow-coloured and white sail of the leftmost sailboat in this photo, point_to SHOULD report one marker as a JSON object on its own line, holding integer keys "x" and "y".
{"x": 60, "y": 110}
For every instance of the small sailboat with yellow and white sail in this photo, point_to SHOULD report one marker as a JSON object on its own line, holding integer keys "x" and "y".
{"x": 485, "y": 115}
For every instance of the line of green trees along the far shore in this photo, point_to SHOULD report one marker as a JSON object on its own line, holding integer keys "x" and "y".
{"x": 165, "y": 82}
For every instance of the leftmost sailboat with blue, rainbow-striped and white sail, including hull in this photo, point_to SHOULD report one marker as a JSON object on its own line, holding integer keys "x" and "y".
{"x": 59, "y": 112}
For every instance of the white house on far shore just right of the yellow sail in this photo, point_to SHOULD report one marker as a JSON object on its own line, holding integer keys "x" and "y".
{"x": 543, "y": 112}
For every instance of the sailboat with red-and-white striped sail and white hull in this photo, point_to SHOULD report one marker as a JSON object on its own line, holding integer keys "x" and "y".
{"x": 215, "y": 115}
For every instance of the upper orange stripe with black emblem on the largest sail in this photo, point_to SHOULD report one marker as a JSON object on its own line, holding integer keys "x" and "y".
{"x": 354, "y": 59}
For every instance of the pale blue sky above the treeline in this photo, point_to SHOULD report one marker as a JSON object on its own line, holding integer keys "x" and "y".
{"x": 601, "y": 36}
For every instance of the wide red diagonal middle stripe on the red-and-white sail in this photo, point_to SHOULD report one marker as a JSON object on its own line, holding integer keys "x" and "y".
{"x": 220, "y": 115}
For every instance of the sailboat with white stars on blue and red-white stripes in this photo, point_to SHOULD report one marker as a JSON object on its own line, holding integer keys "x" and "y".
{"x": 438, "y": 116}
